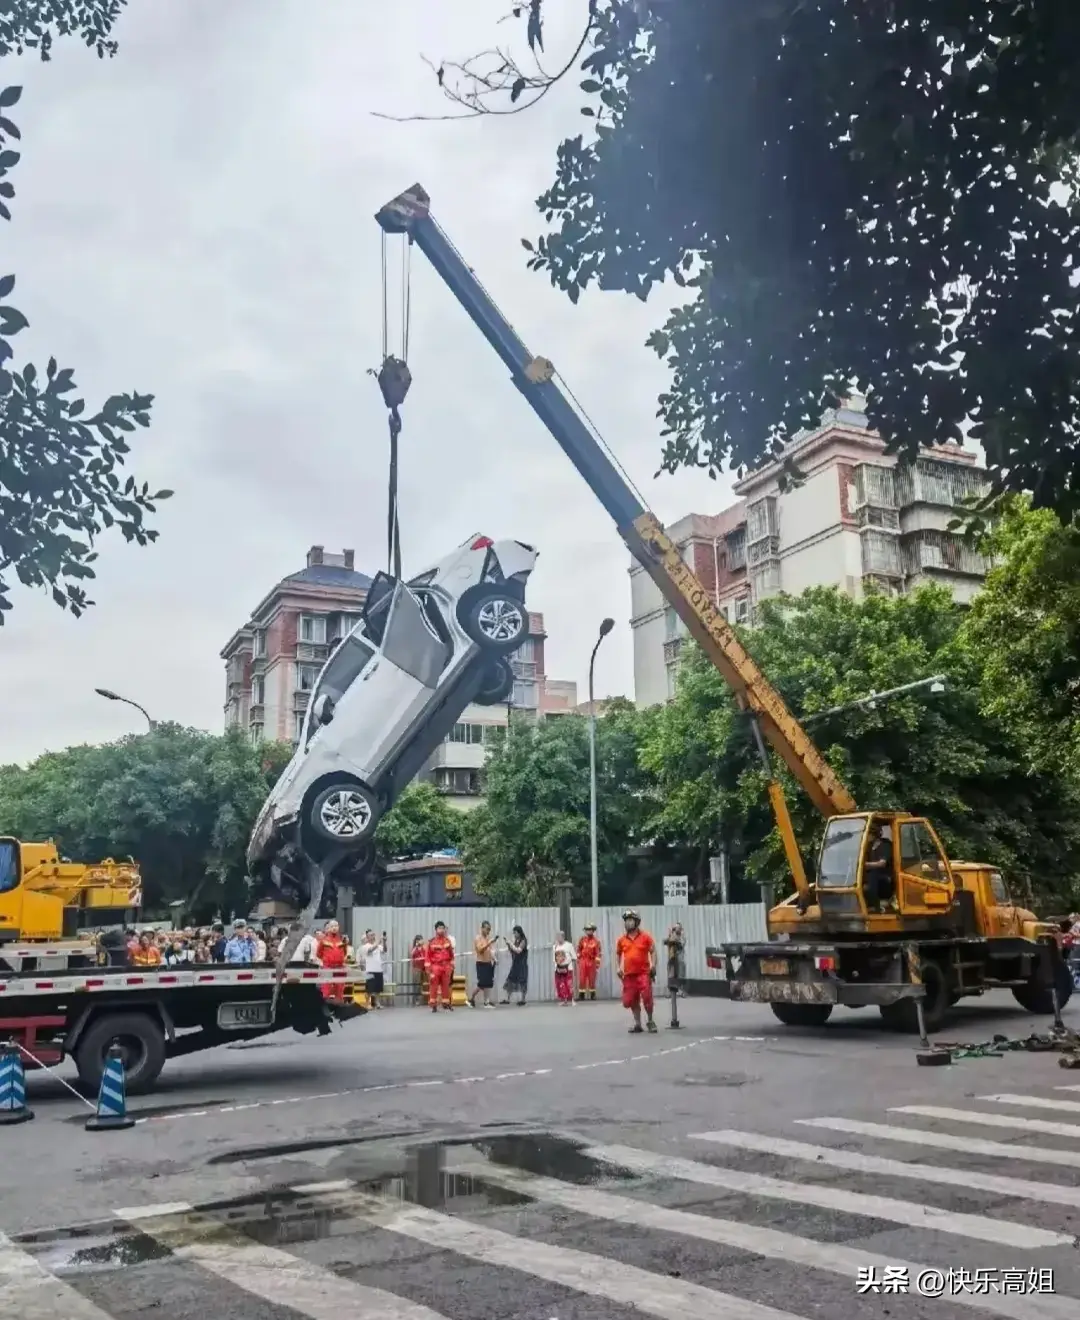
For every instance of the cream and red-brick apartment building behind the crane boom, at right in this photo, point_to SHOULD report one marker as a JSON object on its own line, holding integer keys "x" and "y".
{"x": 859, "y": 521}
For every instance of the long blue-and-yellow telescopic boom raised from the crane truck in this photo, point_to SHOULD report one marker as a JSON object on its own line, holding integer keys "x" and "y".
{"x": 641, "y": 530}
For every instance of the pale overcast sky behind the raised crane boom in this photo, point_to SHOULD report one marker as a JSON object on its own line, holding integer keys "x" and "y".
{"x": 195, "y": 220}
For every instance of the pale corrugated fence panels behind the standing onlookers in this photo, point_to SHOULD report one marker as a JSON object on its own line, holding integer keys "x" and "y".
{"x": 703, "y": 925}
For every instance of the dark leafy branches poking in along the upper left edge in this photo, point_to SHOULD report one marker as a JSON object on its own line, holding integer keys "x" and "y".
{"x": 61, "y": 482}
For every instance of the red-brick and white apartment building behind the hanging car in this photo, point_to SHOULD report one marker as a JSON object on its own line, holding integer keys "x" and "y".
{"x": 273, "y": 663}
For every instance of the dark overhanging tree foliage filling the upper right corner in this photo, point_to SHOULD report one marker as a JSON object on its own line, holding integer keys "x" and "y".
{"x": 855, "y": 196}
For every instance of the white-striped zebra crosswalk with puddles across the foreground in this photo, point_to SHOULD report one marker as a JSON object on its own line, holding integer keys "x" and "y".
{"x": 735, "y": 1226}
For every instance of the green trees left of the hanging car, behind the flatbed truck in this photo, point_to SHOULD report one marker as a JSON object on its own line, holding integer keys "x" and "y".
{"x": 179, "y": 801}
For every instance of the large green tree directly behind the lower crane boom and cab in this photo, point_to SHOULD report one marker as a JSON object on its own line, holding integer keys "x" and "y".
{"x": 942, "y": 757}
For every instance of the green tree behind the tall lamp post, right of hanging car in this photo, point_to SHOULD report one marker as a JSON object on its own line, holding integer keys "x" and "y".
{"x": 533, "y": 830}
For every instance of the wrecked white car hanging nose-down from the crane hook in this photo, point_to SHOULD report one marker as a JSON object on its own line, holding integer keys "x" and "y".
{"x": 390, "y": 694}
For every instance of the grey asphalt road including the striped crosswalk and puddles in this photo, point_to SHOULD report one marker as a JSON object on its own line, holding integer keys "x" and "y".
{"x": 539, "y": 1162}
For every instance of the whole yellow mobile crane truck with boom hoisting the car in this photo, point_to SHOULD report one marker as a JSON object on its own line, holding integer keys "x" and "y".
{"x": 888, "y": 919}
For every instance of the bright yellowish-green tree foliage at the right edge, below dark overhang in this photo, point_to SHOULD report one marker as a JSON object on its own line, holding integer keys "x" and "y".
{"x": 1025, "y": 626}
